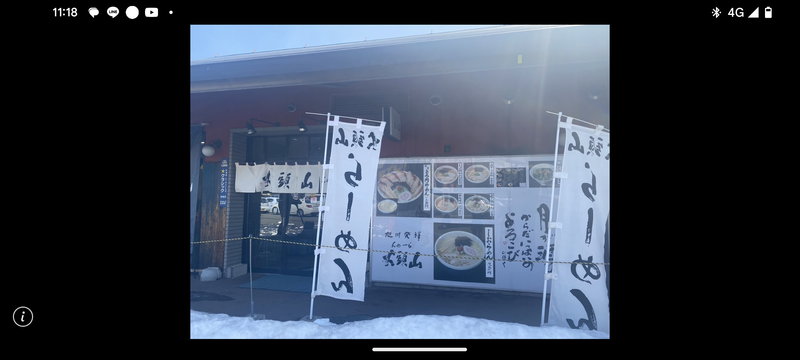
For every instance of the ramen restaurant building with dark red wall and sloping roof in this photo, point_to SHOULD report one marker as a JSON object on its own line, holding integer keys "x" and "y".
{"x": 469, "y": 108}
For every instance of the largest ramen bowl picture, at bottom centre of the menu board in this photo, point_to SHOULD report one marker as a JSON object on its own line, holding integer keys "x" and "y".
{"x": 459, "y": 250}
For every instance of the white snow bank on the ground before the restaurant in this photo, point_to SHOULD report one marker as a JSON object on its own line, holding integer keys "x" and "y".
{"x": 221, "y": 326}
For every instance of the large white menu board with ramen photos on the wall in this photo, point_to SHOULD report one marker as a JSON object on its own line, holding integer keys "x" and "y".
{"x": 493, "y": 234}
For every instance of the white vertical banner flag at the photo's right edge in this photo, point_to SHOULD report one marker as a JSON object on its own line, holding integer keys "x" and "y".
{"x": 579, "y": 297}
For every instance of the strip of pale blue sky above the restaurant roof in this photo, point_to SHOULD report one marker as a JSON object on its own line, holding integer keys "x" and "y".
{"x": 208, "y": 41}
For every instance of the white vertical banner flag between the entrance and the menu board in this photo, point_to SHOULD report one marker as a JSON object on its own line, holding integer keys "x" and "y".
{"x": 352, "y": 178}
